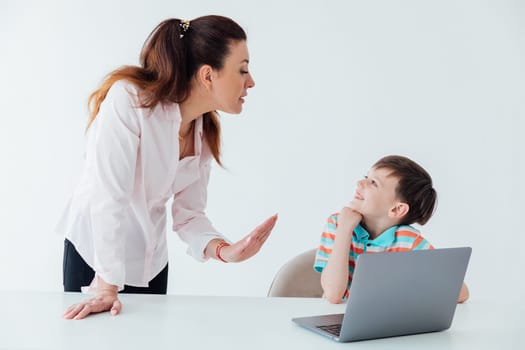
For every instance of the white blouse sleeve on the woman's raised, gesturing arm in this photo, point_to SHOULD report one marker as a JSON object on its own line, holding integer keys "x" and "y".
{"x": 189, "y": 219}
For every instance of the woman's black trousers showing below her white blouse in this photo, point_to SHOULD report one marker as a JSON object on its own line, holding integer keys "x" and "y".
{"x": 77, "y": 273}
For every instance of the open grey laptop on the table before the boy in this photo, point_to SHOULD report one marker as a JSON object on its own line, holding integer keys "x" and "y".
{"x": 396, "y": 294}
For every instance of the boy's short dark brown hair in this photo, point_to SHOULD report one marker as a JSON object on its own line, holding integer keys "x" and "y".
{"x": 414, "y": 187}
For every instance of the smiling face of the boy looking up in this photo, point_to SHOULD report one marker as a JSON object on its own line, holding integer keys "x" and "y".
{"x": 375, "y": 195}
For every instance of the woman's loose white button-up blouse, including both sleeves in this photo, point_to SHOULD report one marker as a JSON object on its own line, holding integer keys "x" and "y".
{"x": 116, "y": 218}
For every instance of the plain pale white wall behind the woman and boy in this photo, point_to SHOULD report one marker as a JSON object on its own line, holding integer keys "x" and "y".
{"x": 338, "y": 85}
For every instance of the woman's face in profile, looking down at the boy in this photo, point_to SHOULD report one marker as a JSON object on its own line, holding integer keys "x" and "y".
{"x": 231, "y": 83}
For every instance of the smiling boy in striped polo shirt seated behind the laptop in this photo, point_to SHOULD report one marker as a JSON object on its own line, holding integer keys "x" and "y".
{"x": 396, "y": 193}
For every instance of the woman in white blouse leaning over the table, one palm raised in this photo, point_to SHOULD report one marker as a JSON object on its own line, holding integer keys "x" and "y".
{"x": 152, "y": 134}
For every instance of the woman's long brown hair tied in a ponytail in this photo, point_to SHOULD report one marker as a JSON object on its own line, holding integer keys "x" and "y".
{"x": 169, "y": 60}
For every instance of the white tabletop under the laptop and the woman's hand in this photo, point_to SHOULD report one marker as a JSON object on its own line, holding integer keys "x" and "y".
{"x": 33, "y": 321}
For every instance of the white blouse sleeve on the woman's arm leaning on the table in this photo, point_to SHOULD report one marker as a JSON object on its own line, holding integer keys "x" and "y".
{"x": 112, "y": 154}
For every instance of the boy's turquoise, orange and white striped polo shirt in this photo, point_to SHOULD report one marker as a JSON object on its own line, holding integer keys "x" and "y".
{"x": 394, "y": 239}
